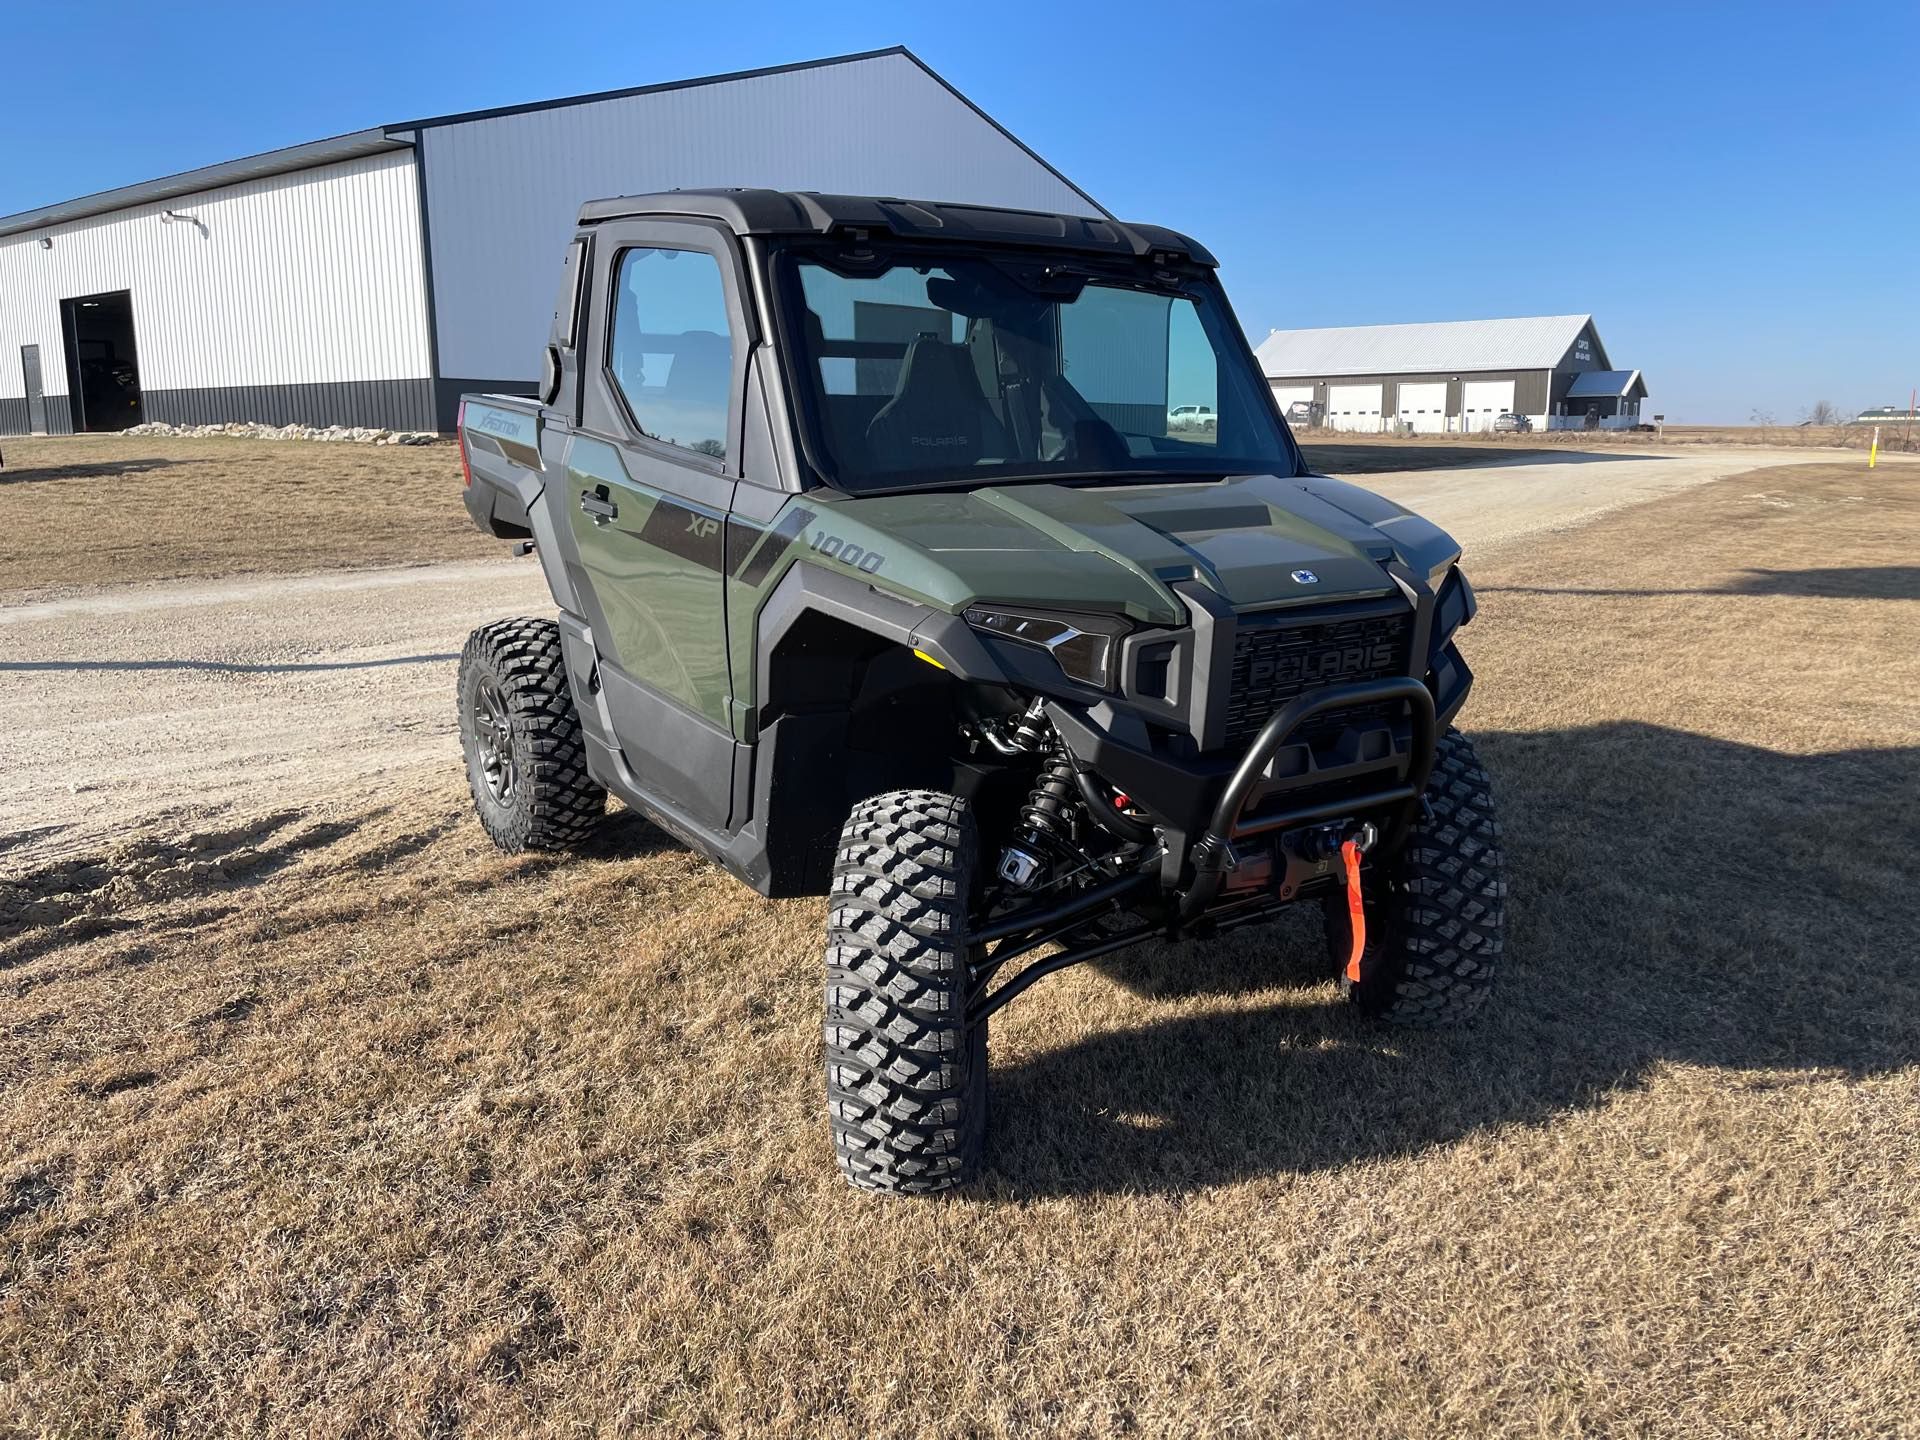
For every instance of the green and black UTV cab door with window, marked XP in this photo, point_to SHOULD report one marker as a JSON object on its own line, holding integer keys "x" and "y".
{"x": 652, "y": 473}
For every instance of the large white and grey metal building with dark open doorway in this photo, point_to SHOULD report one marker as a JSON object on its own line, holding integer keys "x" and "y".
{"x": 373, "y": 277}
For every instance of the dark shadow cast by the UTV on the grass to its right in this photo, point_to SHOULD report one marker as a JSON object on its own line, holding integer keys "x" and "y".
{"x": 1673, "y": 900}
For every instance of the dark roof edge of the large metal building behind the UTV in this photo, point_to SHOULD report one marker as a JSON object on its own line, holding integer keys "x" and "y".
{"x": 402, "y": 135}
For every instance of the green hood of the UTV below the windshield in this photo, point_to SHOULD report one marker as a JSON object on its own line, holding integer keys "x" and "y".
{"x": 1255, "y": 540}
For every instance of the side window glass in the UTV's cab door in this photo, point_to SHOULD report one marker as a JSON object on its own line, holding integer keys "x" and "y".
{"x": 673, "y": 352}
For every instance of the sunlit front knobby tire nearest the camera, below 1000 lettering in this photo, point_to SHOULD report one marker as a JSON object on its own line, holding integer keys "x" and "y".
{"x": 907, "y": 1076}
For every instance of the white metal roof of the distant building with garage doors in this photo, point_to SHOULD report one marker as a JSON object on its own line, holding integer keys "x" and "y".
{"x": 1533, "y": 343}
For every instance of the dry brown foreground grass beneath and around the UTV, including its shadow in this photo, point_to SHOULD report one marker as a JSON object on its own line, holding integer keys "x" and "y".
{"x": 343, "y": 1124}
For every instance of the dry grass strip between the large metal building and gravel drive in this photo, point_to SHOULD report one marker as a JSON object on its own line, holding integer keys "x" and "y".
{"x": 82, "y": 512}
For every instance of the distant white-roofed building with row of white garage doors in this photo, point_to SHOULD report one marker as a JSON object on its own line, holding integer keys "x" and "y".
{"x": 1452, "y": 377}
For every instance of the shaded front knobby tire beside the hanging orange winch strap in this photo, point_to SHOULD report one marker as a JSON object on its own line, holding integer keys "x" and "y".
{"x": 1437, "y": 913}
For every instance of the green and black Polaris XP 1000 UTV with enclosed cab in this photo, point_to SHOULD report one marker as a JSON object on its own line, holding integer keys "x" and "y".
{"x": 890, "y": 569}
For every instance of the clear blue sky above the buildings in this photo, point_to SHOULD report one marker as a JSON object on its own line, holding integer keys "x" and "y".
{"x": 1729, "y": 189}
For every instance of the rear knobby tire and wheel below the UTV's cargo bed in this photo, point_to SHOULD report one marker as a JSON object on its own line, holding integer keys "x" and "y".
{"x": 525, "y": 759}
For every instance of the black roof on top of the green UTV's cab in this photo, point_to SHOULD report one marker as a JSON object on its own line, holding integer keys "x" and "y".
{"x": 807, "y": 212}
